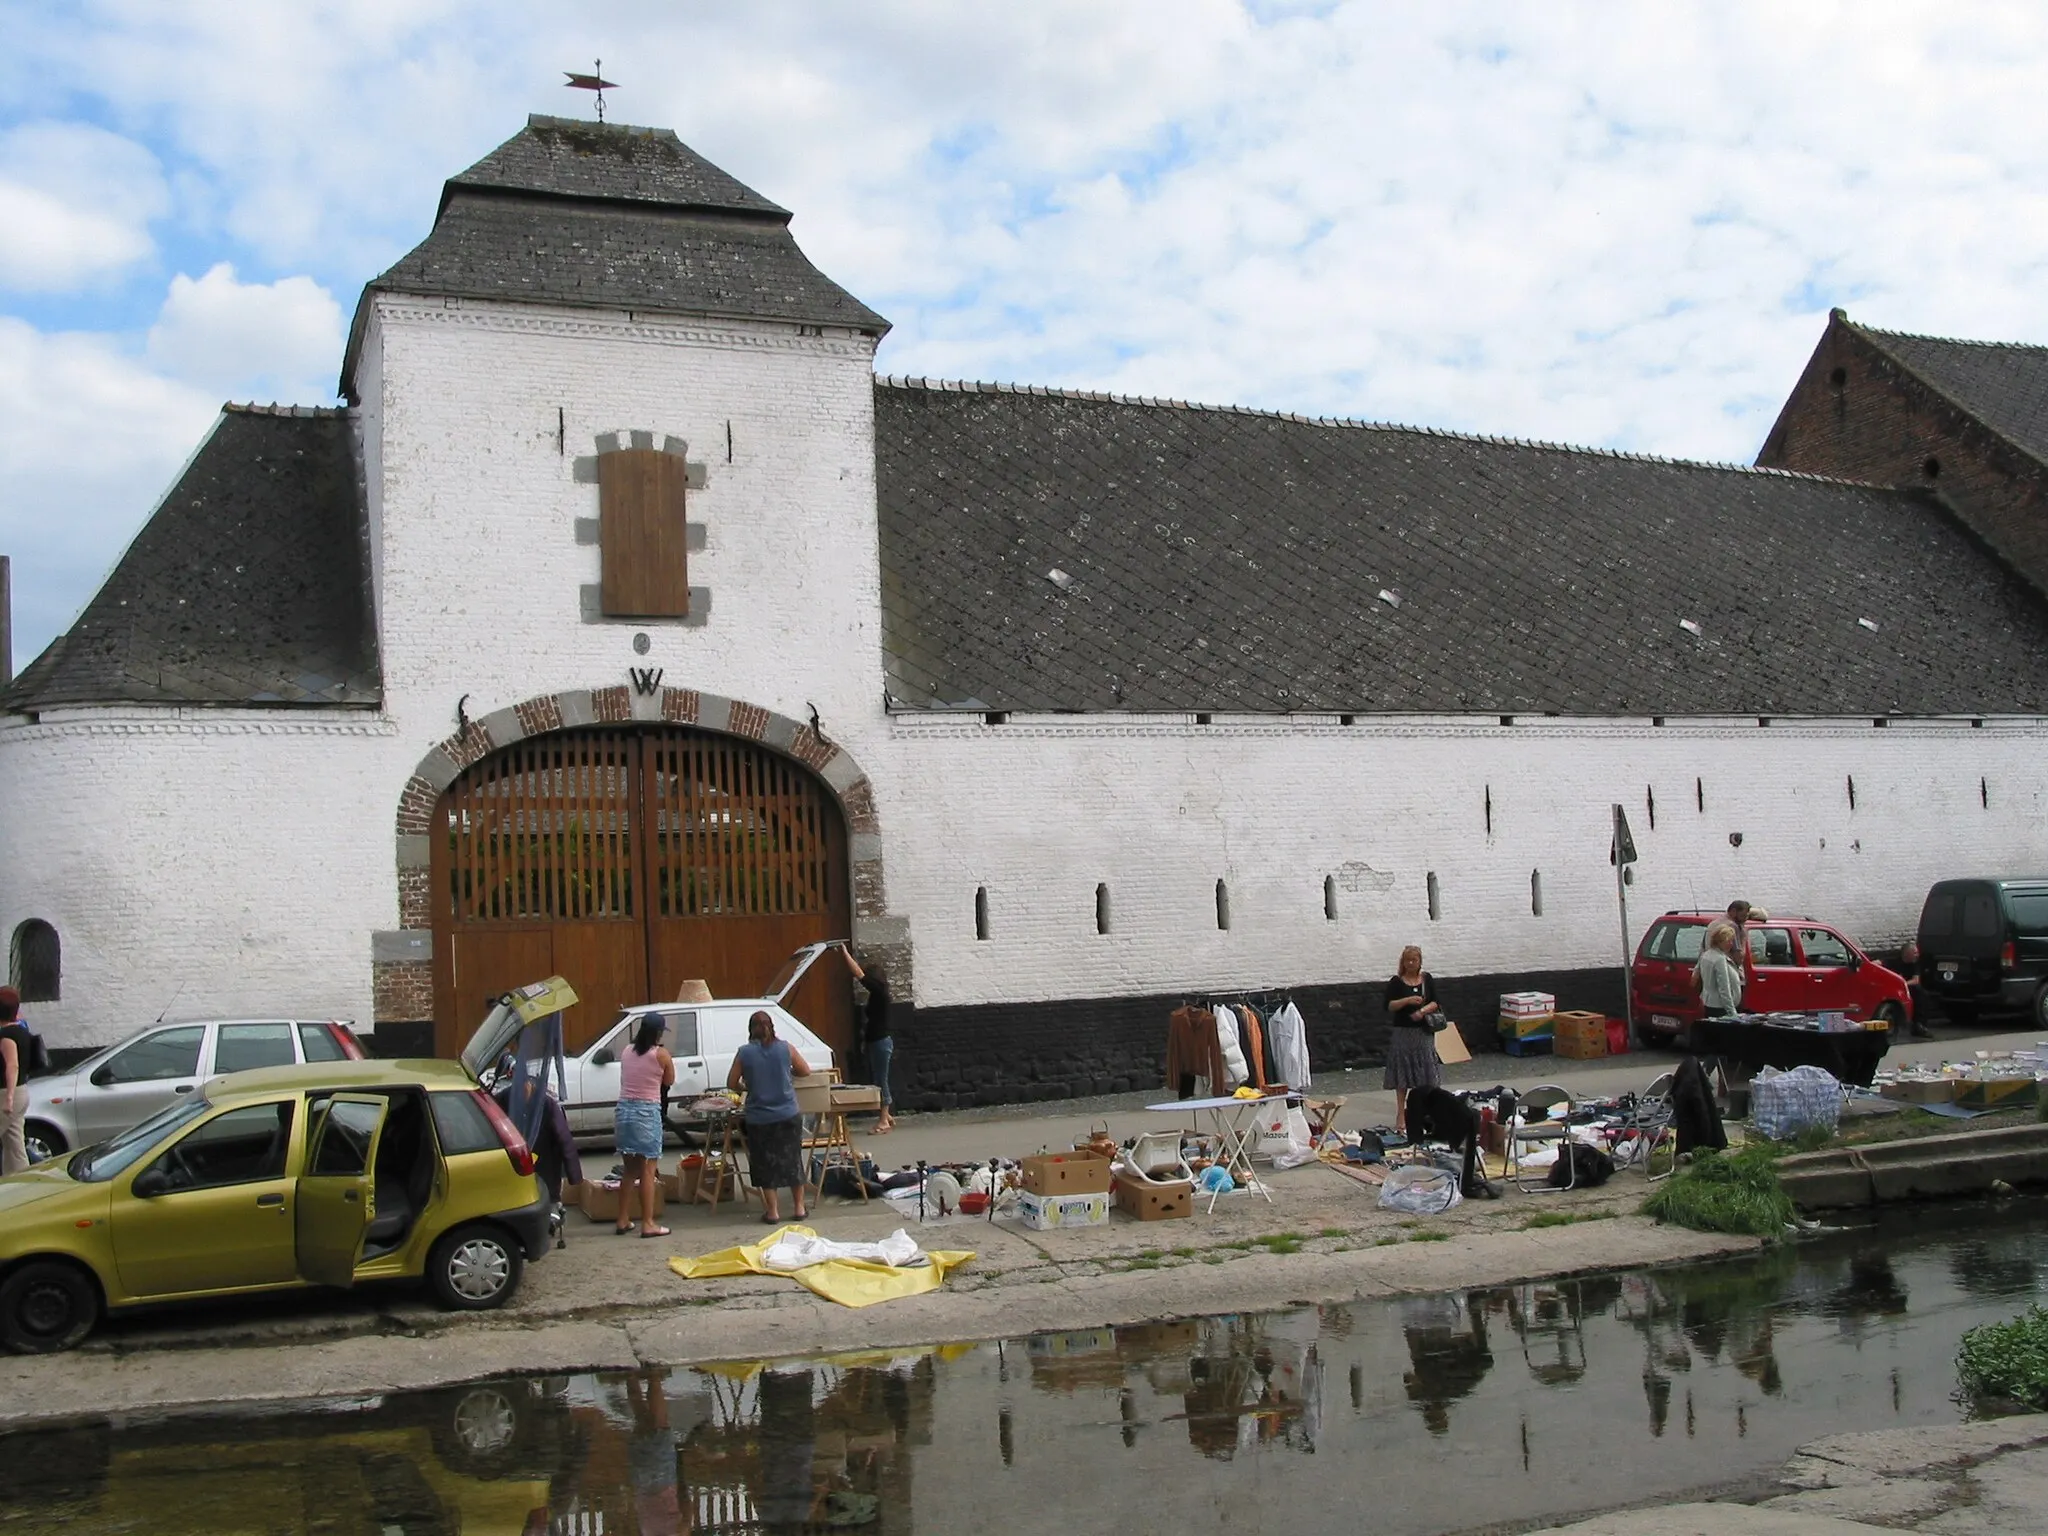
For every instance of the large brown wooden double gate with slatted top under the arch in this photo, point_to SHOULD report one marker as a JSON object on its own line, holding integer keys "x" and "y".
{"x": 630, "y": 861}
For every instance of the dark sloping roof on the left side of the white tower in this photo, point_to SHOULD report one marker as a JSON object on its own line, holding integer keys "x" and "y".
{"x": 247, "y": 587}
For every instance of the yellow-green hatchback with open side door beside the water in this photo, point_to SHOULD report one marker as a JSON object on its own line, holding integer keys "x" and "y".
{"x": 271, "y": 1181}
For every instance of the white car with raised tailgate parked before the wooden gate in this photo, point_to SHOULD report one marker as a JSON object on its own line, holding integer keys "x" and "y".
{"x": 701, "y": 1037}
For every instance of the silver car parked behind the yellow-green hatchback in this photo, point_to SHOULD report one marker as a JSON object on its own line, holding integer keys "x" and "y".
{"x": 126, "y": 1084}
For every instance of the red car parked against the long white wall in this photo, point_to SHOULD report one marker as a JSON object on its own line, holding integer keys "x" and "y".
{"x": 1795, "y": 966}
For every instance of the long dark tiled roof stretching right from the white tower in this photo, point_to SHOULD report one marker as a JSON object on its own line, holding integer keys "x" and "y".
{"x": 1070, "y": 552}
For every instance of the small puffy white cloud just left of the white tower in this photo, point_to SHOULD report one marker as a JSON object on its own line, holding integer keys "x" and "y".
{"x": 255, "y": 341}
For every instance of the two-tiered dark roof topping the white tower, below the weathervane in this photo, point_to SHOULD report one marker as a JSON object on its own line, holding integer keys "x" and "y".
{"x": 620, "y": 218}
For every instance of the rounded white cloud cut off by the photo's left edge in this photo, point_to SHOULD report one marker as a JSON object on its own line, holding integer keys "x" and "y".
{"x": 75, "y": 206}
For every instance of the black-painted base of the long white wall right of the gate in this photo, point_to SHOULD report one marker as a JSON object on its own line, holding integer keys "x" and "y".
{"x": 1023, "y": 1054}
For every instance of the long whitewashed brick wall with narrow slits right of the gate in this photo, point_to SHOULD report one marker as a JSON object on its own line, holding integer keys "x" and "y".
{"x": 1043, "y": 810}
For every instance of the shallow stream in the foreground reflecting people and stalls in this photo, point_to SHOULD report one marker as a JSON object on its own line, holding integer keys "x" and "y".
{"x": 1506, "y": 1404}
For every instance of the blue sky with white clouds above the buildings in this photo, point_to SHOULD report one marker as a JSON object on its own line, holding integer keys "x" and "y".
{"x": 1607, "y": 224}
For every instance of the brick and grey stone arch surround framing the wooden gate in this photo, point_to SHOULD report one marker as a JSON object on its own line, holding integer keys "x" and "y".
{"x": 402, "y": 962}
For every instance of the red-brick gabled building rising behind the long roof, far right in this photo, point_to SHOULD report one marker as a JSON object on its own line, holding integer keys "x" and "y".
{"x": 1924, "y": 413}
